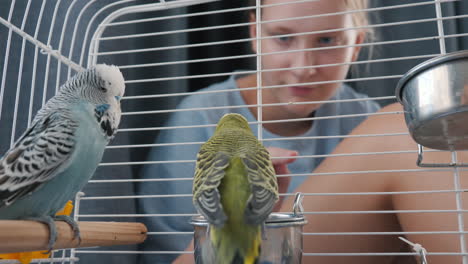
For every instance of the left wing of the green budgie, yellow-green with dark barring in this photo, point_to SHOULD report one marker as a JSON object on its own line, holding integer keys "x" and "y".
{"x": 209, "y": 171}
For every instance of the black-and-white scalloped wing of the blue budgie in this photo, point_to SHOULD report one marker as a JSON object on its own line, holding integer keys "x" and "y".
{"x": 39, "y": 155}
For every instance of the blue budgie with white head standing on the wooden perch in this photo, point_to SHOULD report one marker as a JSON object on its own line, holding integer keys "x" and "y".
{"x": 62, "y": 148}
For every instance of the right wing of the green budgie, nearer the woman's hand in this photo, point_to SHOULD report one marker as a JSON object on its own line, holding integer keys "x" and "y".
{"x": 263, "y": 185}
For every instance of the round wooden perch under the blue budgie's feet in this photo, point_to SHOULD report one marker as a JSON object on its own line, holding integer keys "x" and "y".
{"x": 20, "y": 236}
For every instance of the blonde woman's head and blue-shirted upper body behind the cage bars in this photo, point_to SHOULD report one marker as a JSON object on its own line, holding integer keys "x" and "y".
{"x": 291, "y": 60}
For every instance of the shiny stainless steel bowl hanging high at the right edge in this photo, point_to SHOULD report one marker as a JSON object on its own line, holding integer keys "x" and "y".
{"x": 434, "y": 95}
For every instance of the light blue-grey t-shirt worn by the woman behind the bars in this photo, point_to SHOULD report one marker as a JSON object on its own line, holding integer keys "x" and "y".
{"x": 187, "y": 154}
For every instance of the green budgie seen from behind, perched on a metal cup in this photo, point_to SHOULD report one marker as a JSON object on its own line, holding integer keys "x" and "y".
{"x": 235, "y": 189}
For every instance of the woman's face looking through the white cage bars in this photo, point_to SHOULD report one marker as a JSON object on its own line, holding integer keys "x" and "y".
{"x": 292, "y": 77}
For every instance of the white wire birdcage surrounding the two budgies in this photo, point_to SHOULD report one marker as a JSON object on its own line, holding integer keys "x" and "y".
{"x": 362, "y": 188}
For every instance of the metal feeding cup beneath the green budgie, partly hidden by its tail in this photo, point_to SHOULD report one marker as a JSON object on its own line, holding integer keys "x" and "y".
{"x": 283, "y": 236}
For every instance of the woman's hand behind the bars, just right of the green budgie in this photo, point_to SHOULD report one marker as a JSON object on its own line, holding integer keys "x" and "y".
{"x": 281, "y": 167}
